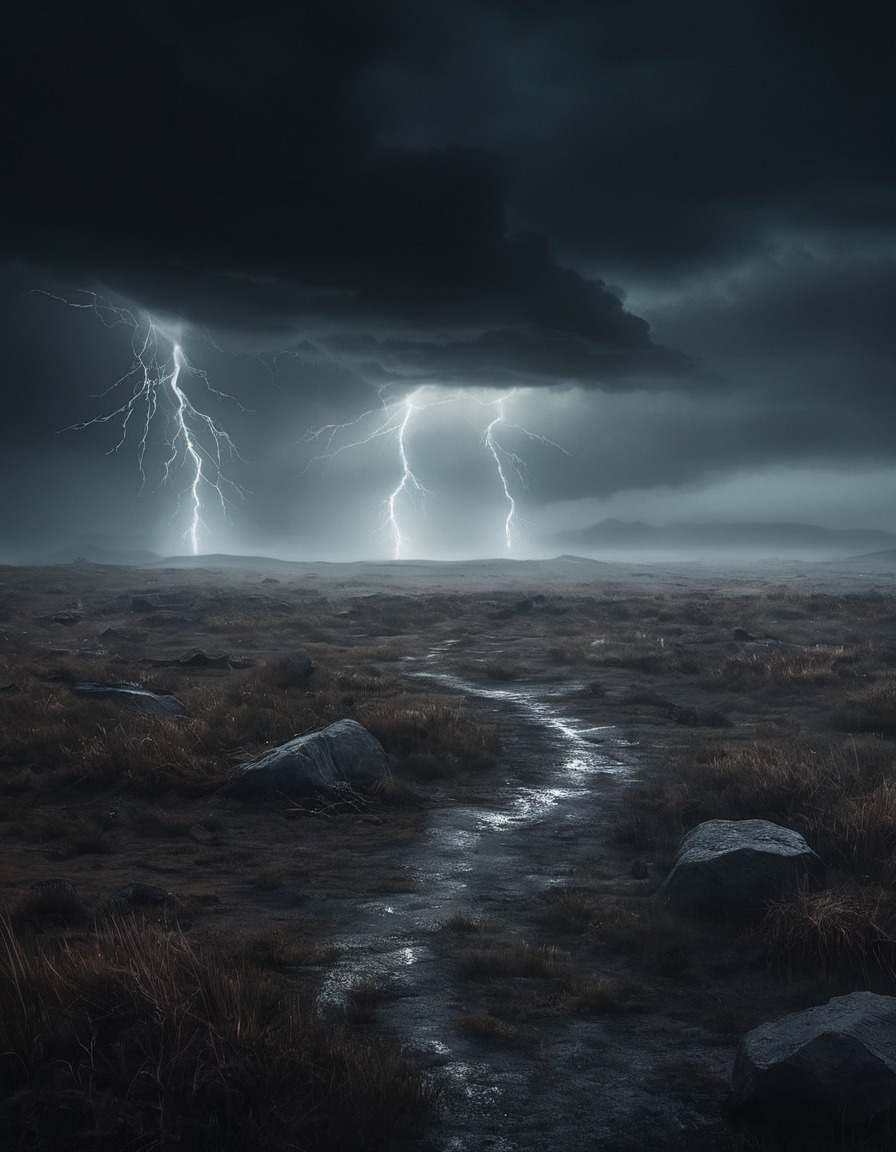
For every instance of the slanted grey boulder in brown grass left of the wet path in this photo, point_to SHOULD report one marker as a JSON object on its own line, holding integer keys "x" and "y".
{"x": 345, "y": 753}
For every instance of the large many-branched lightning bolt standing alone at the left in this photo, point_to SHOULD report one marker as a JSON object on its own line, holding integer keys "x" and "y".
{"x": 151, "y": 392}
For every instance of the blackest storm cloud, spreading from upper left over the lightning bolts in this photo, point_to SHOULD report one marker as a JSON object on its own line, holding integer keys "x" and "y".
{"x": 229, "y": 171}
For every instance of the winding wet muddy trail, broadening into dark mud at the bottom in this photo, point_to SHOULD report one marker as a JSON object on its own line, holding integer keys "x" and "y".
{"x": 589, "y": 1082}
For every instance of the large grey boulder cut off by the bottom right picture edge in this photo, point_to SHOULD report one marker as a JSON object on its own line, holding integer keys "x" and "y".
{"x": 833, "y": 1063}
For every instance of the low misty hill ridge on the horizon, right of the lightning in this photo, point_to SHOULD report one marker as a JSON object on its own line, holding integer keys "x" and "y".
{"x": 762, "y": 540}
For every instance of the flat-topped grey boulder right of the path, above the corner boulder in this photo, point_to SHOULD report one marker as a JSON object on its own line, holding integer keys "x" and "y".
{"x": 735, "y": 865}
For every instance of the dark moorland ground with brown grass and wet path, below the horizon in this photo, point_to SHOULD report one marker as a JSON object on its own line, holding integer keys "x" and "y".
{"x": 470, "y": 954}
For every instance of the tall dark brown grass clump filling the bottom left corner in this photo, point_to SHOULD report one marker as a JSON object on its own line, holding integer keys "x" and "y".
{"x": 134, "y": 1037}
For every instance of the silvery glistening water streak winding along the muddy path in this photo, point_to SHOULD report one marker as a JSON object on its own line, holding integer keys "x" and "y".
{"x": 540, "y": 824}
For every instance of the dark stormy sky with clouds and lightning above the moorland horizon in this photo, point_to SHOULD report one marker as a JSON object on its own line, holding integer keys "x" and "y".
{"x": 624, "y": 260}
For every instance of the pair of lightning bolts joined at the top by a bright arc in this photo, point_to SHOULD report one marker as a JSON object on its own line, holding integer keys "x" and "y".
{"x": 394, "y": 422}
